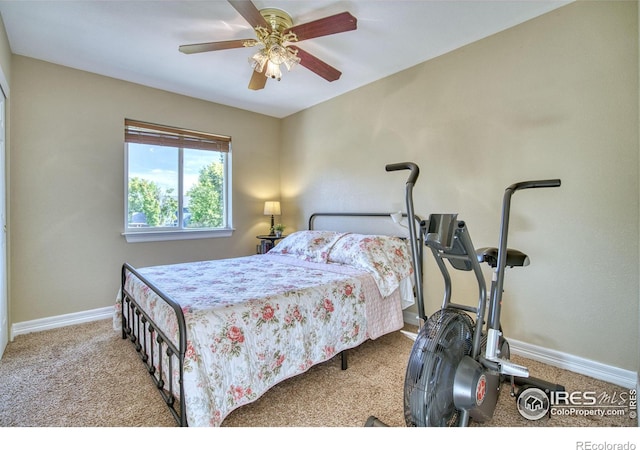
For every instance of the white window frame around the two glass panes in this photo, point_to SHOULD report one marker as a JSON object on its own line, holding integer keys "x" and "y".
{"x": 145, "y": 131}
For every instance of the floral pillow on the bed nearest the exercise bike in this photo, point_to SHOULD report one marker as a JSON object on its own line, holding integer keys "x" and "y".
{"x": 386, "y": 258}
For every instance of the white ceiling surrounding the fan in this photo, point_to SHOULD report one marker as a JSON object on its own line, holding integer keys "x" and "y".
{"x": 138, "y": 41}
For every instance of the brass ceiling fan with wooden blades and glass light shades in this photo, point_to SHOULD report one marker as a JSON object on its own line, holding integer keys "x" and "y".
{"x": 275, "y": 34}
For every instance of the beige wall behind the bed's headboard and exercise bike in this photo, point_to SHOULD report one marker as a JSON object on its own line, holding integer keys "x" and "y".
{"x": 554, "y": 97}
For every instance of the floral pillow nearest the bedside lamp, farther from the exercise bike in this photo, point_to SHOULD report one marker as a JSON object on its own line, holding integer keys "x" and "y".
{"x": 311, "y": 245}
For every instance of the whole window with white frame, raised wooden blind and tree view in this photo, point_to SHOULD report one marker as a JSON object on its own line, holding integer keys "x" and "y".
{"x": 177, "y": 183}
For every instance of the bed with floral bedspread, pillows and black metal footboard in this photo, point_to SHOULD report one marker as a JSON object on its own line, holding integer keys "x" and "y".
{"x": 216, "y": 335}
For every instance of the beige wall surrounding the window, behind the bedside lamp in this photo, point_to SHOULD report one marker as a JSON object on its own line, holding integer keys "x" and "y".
{"x": 67, "y": 184}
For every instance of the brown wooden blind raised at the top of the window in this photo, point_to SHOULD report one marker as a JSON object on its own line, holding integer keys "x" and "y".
{"x": 153, "y": 134}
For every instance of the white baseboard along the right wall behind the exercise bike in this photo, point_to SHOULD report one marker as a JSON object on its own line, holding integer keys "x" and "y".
{"x": 620, "y": 377}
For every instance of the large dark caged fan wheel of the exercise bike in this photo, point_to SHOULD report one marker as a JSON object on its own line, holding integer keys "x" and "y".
{"x": 428, "y": 389}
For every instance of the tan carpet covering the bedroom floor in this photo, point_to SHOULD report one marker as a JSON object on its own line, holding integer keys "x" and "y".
{"x": 88, "y": 376}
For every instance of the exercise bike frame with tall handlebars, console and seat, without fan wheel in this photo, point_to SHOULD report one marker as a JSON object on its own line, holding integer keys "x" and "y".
{"x": 449, "y": 238}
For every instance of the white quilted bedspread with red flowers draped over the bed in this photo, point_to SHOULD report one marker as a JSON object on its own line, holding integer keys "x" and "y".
{"x": 255, "y": 321}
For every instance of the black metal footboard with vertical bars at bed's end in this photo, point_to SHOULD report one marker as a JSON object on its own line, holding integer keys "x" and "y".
{"x": 150, "y": 343}
